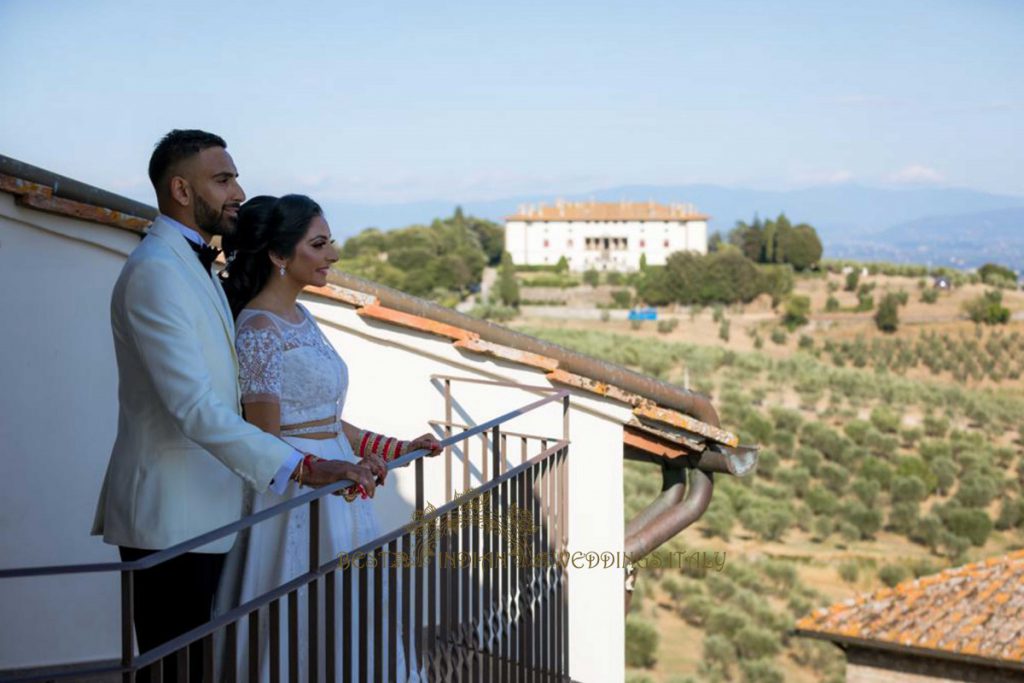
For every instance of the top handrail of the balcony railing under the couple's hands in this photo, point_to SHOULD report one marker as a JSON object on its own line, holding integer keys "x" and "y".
{"x": 250, "y": 521}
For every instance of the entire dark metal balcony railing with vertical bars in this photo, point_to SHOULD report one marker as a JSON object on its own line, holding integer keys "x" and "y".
{"x": 467, "y": 591}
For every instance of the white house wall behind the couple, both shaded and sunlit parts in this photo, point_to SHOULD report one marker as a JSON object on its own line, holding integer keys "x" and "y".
{"x": 59, "y": 414}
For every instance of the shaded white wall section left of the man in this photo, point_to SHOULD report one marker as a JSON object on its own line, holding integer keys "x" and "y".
{"x": 58, "y": 420}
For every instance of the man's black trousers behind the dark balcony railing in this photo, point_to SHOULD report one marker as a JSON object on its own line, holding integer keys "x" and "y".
{"x": 174, "y": 599}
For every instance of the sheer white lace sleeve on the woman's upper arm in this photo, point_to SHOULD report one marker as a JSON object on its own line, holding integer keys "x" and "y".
{"x": 261, "y": 350}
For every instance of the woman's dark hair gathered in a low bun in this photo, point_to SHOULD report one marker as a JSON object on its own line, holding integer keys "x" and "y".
{"x": 266, "y": 225}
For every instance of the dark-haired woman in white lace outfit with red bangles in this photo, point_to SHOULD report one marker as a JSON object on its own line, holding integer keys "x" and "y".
{"x": 293, "y": 386}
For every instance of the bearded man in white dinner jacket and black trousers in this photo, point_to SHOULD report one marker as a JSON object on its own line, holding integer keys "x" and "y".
{"x": 184, "y": 454}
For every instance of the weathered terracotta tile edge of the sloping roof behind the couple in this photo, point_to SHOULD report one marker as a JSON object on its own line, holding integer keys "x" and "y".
{"x": 42, "y": 198}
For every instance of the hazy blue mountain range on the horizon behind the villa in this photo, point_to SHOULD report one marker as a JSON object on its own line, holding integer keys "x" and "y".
{"x": 938, "y": 227}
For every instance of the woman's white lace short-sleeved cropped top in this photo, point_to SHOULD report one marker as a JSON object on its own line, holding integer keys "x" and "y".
{"x": 290, "y": 364}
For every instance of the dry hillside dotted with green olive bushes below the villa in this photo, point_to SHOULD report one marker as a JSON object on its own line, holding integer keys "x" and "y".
{"x": 871, "y": 473}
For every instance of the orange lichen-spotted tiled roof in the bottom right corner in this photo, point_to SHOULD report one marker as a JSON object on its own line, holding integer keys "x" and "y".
{"x": 975, "y": 612}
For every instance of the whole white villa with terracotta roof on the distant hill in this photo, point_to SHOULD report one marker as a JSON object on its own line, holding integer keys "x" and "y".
{"x": 604, "y": 236}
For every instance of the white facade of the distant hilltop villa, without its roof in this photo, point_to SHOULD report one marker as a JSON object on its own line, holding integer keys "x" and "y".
{"x": 544, "y": 243}
